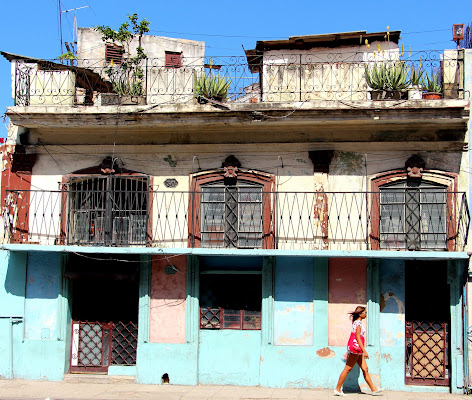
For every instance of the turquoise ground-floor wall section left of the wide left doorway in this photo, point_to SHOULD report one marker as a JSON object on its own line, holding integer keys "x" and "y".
{"x": 30, "y": 287}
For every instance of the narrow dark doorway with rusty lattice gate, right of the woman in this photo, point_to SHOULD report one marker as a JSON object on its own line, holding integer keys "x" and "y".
{"x": 427, "y": 327}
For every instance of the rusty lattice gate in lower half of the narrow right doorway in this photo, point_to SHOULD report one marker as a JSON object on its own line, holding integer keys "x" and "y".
{"x": 426, "y": 353}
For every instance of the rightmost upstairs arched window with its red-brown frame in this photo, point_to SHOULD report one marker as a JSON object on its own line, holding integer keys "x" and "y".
{"x": 414, "y": 214}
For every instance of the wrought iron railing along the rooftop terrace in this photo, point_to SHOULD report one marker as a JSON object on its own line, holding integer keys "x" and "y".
{"x": 333, "y": 76}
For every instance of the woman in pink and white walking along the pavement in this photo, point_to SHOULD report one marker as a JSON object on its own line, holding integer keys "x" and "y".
{"x": 357, "y": 353}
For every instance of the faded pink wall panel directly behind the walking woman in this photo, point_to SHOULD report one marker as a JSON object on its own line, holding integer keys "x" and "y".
{"x": 347, "y": 290}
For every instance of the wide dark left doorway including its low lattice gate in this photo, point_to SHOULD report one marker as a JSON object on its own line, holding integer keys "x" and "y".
{"x": 104, "y": 297}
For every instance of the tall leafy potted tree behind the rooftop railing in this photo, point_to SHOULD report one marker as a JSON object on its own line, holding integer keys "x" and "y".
{"x": 128, "y": 76}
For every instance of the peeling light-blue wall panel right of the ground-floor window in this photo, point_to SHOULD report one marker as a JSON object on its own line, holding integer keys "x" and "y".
{"x": 293, "y": 309}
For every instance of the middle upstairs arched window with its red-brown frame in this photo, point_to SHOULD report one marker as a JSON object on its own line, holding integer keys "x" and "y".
{"x": 231, "y": 213}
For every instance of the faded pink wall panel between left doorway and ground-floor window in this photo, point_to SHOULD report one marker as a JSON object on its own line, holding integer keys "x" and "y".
{"x": 168, "y": 300}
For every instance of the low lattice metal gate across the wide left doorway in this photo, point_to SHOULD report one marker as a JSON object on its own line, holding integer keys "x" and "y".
{"x": 97, "y": 345}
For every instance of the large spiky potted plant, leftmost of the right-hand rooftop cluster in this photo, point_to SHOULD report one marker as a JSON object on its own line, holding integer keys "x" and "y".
{"x": 387, "y": 80}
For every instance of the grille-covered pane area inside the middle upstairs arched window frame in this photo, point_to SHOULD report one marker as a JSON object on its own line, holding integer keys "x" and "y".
{"x": 232, "y": 216}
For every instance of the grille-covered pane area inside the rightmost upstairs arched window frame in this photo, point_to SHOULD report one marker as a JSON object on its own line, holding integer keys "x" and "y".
{"x": 413, "y": 217}
